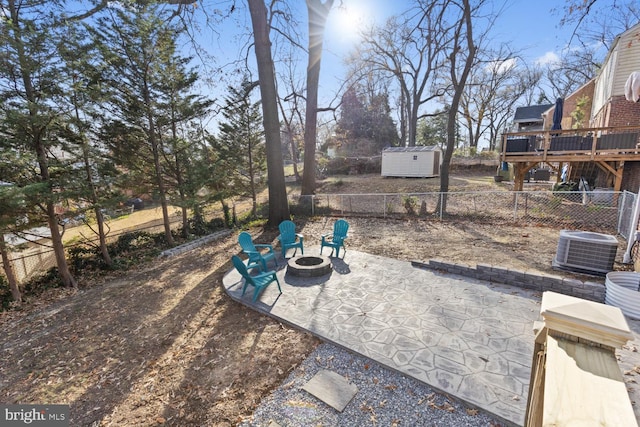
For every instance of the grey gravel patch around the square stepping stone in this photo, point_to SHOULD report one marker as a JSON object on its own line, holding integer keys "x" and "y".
{"x": 384, "y": 398}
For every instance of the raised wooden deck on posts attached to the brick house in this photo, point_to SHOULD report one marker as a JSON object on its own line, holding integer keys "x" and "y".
{"x": 606, "y": 148}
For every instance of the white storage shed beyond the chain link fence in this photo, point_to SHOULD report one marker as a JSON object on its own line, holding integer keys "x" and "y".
{"x": 411, "y": 162}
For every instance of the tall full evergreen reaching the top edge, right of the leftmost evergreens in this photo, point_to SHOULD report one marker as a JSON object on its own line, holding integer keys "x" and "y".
{"x": 136, "y": 46}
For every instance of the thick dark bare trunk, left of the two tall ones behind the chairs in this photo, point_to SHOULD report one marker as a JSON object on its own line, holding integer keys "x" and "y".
{"x": 278, "y": 204}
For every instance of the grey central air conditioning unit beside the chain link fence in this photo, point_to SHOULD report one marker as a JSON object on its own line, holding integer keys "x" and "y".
{"x": 586, "y": 252}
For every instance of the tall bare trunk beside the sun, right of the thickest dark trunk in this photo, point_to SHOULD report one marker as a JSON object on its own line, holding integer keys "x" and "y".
{"x": 318, "y": 13}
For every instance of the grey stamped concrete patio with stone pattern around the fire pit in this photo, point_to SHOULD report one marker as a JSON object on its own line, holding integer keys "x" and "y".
{"x": 468, "y": 338}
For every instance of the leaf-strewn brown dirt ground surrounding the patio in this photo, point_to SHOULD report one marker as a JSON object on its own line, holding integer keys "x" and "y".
{"x": 164, "y": 345}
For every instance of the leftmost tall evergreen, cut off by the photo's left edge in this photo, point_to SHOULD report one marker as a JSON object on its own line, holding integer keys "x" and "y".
{"x": 33, "y": 109}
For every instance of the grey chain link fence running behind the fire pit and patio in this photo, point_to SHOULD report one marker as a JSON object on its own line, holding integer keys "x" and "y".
{"x": 604, "y": 212}
